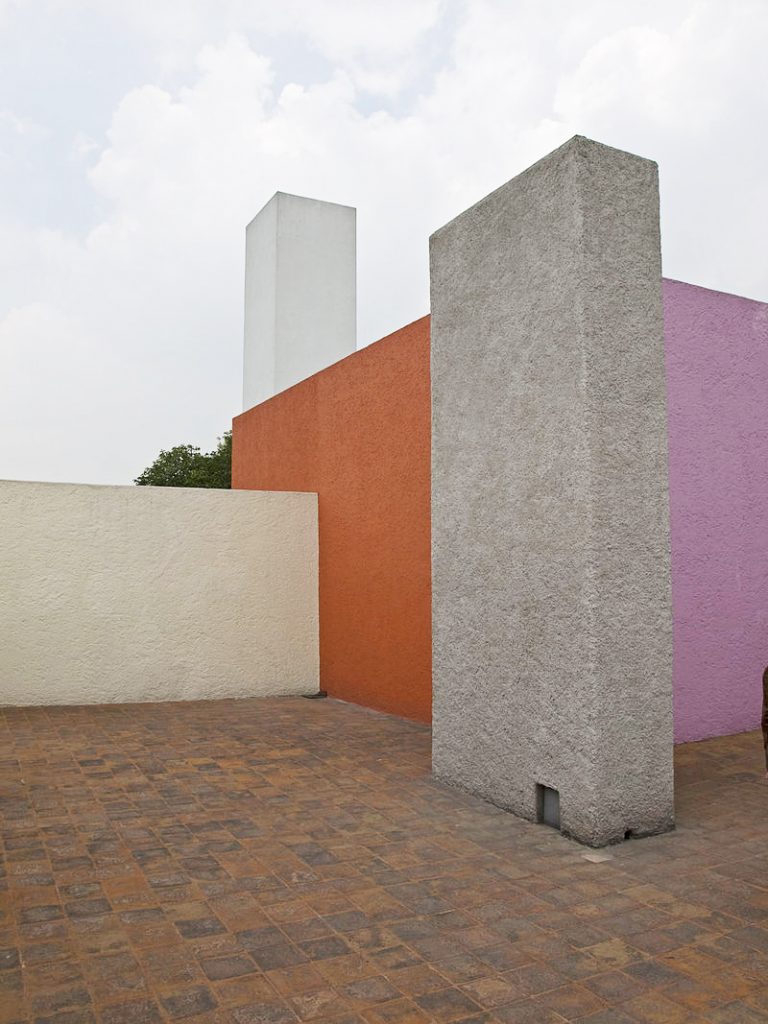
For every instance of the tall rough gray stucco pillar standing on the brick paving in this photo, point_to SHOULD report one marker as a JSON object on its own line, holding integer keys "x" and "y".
{"x": 552, "y": 652}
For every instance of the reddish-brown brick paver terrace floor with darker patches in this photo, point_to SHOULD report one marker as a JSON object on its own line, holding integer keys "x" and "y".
{"x": 238, "y": 863}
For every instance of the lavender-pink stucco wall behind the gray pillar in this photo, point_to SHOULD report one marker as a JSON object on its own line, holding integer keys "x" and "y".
{"x": 717, "y": 366}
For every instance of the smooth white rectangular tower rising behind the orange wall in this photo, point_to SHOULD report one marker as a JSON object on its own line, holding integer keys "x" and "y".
{"x": 301, "y": 307}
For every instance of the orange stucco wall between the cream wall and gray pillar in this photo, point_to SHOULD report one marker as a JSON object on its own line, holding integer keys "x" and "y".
{"x": 359, "y": 434}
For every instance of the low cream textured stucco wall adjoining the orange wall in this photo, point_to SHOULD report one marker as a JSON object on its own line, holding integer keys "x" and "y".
{"x": 121, "y": 594}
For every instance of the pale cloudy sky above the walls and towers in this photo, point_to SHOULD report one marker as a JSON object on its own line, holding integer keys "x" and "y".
{"x": 139, "y": 139}
